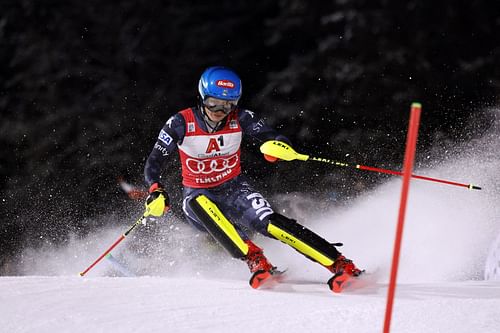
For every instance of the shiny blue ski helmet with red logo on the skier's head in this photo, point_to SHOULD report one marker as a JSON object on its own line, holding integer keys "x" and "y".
{"x": 220, "y": 82}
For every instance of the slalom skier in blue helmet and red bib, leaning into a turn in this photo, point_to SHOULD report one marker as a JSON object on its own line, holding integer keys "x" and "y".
{"x": 217, "y": 198}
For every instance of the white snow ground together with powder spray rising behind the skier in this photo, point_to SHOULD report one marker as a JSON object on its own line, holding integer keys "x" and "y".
{"x": 186, "y": 283}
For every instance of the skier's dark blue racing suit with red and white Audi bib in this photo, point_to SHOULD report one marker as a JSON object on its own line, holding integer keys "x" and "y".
{"x": 211, "y": 164}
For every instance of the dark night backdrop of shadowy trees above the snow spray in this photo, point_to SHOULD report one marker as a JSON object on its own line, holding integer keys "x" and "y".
{"x": 85, "y": 86}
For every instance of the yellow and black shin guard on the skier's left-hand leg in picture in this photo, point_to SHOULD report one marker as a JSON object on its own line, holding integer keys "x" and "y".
{"x": 218, "y": 225}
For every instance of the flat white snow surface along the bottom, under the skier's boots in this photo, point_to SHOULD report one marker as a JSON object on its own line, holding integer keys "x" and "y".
{"x": 163, "y": 304}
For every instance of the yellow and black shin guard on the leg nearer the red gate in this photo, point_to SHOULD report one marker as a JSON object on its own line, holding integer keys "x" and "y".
{"x": 302, "y": 239}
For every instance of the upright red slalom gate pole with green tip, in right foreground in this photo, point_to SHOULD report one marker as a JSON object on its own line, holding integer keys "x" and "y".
{"x": 411, "y": 143}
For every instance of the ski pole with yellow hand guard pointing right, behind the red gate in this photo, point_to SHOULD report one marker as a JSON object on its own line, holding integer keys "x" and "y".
{"x": 283, "y": 151}
